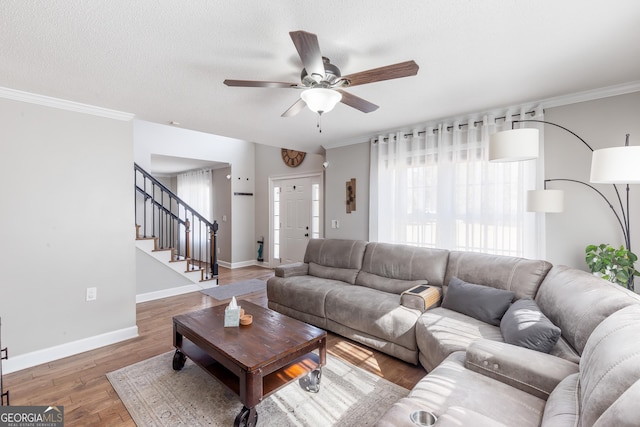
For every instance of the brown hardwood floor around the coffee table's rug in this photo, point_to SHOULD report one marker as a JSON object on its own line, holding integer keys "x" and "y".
{"x": 79, "y": 382}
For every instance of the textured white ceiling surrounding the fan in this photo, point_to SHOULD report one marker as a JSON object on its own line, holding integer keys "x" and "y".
{"x": 165, "y": 60}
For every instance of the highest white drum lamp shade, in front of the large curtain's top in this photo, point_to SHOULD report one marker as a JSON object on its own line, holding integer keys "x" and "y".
{"x": 514, "y": 145}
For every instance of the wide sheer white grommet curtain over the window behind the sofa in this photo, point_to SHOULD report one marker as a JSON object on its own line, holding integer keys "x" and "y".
{"x": 434, "y": 187}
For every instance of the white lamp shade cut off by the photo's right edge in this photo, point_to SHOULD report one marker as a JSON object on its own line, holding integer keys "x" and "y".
{"x": 617, "y": 165}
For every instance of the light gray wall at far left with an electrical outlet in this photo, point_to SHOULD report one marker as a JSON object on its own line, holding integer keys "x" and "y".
{"x": 66, "y": 224}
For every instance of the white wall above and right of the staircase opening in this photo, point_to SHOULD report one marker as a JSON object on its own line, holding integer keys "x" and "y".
{"x": 152, "y": 138}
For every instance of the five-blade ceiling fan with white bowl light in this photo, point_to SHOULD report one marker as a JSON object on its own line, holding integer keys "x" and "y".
{"x": 322, "y": 82}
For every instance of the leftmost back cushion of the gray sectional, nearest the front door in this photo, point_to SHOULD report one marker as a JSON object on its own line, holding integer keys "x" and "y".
{"x": 336, "y": 259}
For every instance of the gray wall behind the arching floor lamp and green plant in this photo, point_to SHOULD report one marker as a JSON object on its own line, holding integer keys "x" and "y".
{"x": 587, "y": 219}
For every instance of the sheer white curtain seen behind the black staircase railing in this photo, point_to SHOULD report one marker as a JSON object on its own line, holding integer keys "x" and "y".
{"x": 195, "y": 189}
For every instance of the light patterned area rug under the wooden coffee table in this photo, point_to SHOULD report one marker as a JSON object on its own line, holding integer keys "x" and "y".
{"x": 156, "y": 395}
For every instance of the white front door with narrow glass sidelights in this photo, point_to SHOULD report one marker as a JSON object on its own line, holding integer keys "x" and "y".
{"x": 296, "y": 216}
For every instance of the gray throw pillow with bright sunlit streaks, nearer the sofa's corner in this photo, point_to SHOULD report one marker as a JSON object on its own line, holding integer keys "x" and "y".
{"x": 526, "y": 326}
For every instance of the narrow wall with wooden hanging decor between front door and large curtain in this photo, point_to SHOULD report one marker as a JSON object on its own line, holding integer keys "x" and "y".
{"x": 347, "y": 162}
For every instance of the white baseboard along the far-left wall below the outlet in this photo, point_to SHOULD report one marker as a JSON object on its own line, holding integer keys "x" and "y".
{"x": 38, "y": 357}
